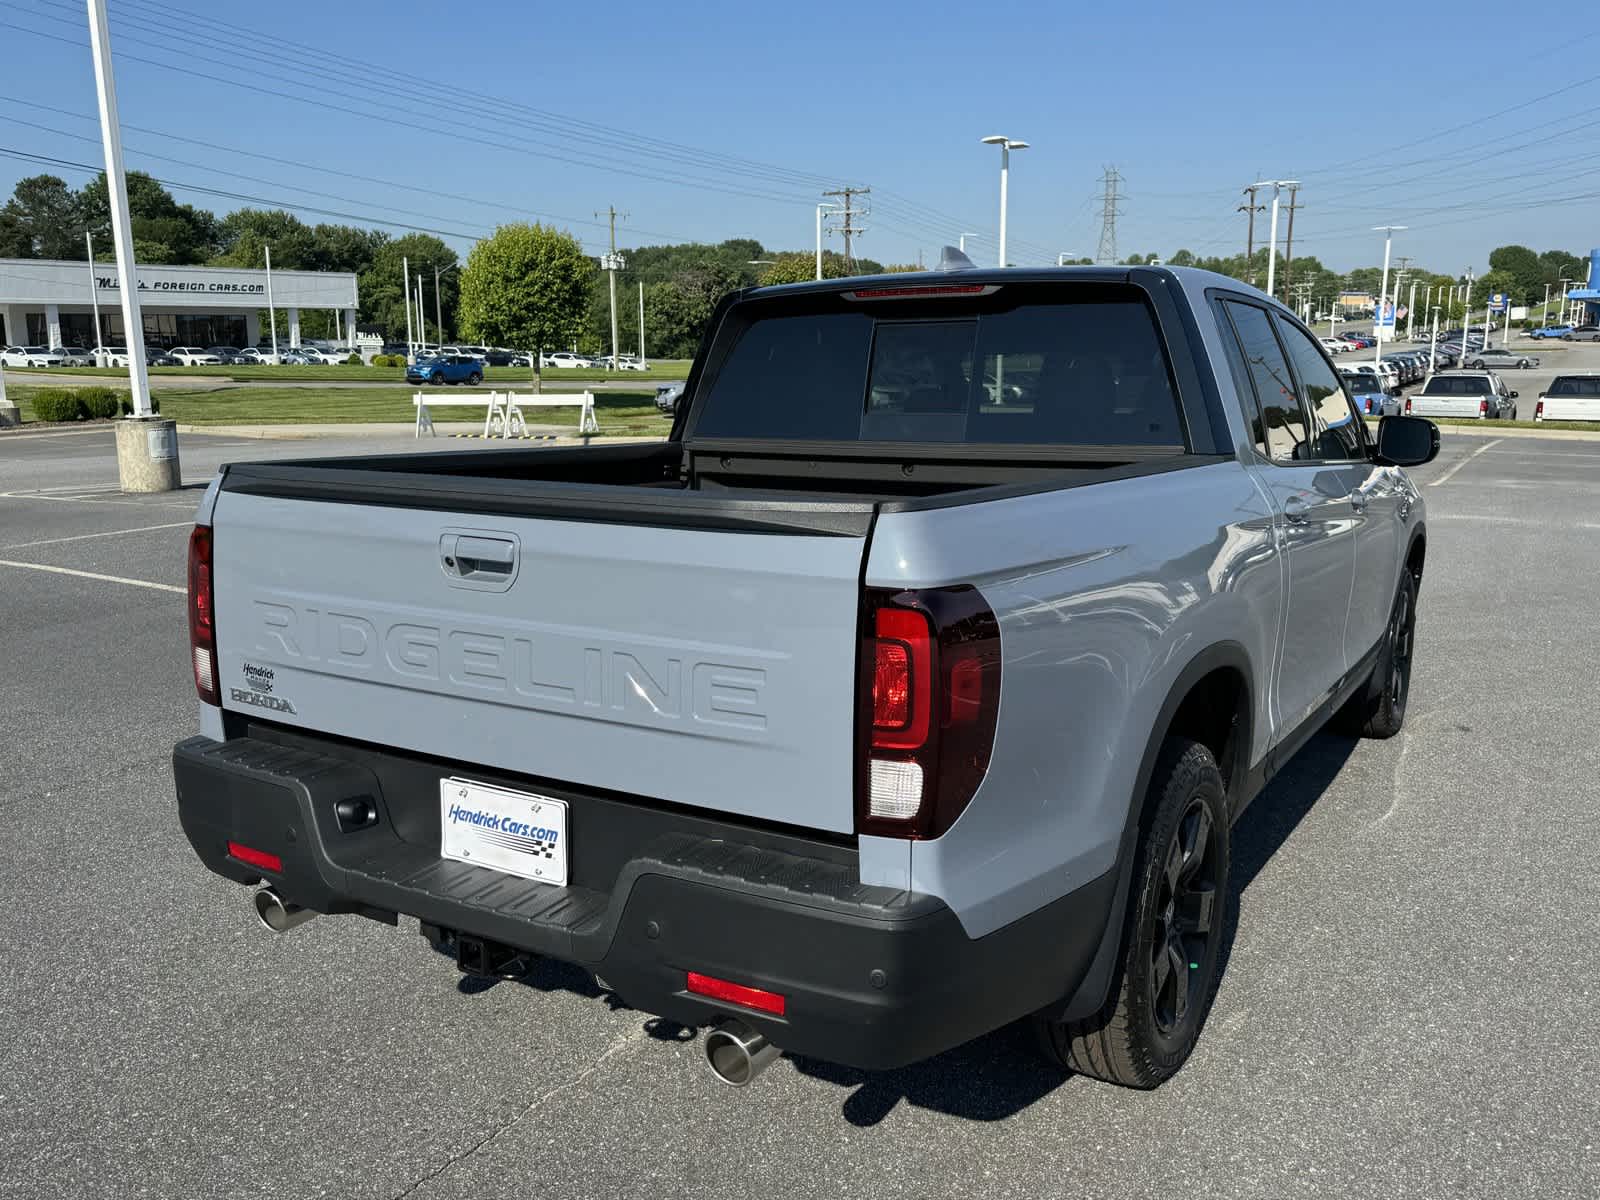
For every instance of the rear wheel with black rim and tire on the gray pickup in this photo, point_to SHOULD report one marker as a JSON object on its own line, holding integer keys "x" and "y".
{"x": 1172, "y": 938}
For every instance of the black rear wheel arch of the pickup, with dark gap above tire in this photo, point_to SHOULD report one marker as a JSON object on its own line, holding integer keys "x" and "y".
{"x": 1212, "y": 702}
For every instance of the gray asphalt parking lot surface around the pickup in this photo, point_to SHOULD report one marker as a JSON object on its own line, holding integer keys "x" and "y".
{"x": 1406, "y": 1012}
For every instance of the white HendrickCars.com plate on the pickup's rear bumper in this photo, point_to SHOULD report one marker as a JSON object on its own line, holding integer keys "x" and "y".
{"x": 516, "y": 833}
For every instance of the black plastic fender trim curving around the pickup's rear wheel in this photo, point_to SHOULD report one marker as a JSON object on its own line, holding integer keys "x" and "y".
{"x": 1097, "y": 985}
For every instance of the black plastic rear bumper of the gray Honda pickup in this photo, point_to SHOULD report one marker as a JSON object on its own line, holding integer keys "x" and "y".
{"x": 873, "y": 977}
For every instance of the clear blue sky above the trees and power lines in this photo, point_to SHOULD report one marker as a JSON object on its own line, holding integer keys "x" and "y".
{"x": 722, "y": 121}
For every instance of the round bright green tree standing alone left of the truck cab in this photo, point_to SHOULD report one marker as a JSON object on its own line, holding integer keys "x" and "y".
{"x": 526, "y": 287}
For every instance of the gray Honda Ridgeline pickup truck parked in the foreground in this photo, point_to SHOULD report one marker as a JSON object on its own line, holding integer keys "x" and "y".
{"x": 911, "y": 687}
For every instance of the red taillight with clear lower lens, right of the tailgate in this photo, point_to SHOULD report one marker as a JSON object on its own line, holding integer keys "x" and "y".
{"x": 930, "y": 703}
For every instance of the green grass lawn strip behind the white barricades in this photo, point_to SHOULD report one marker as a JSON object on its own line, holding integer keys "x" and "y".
{"x": 620, "y": 414}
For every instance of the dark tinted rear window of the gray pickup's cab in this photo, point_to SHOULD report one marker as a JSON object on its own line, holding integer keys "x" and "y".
{"x": 1009, "y": 369}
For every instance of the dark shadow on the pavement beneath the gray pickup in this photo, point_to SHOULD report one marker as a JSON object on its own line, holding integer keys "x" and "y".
{"x": 1001, "y": 1074}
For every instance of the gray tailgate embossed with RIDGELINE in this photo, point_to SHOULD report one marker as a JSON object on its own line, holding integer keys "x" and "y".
{"x": 706, "y": 668}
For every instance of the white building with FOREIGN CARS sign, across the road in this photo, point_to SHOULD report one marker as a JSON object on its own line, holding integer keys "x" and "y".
{"x": 52, "y": 303}
